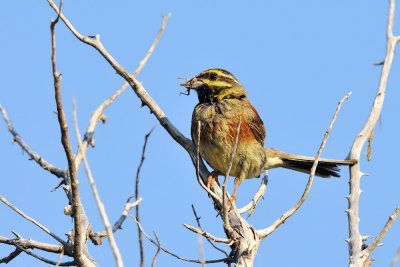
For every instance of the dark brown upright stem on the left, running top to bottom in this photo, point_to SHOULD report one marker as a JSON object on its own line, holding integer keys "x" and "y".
{"x": 67, "y": 147}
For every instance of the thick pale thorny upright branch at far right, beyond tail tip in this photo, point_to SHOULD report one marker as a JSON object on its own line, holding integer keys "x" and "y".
{"x": 355, "y": 238}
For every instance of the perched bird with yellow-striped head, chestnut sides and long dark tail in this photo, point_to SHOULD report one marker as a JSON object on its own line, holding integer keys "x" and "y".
{"x": 223, "y": 102}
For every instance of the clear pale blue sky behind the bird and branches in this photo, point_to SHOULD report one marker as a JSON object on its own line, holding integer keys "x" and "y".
{"x": 297, "y": 59}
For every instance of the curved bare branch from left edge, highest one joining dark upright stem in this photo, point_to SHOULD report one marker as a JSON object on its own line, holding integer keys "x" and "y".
{"x": 33, "y": 155}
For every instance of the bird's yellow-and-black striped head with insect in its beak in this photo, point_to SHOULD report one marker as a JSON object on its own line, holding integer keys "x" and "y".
{"x": 214, "y": 85}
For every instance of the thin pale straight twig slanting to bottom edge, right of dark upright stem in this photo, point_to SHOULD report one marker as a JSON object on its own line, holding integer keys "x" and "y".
{"x": 99, "y": 203}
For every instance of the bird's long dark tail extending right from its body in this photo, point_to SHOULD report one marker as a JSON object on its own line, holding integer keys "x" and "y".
{"x": 325, "y": 168}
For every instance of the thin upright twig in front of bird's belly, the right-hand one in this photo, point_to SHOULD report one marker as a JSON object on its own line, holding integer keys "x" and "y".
{"x": 227, "y": 226}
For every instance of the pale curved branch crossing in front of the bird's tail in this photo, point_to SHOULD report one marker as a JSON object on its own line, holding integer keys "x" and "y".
{"x": 265, "y": 232}
